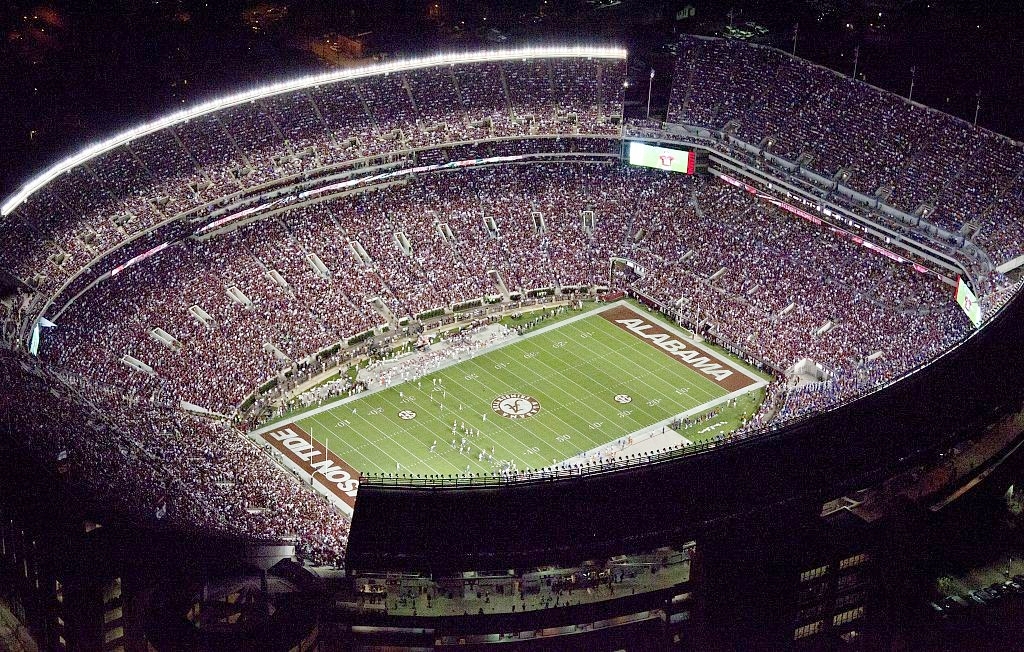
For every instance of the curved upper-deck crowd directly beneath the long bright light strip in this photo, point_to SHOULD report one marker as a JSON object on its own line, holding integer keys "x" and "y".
{"x": 218, "y": 157}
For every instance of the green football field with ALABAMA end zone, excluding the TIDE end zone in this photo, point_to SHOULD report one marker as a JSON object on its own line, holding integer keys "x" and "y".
{"x": 538, "y": 401}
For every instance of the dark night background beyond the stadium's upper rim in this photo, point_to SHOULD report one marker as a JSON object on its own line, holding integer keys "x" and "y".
{"x": 75, "y": 71}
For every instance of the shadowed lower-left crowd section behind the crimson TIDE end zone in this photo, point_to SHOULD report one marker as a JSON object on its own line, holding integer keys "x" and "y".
{"x": 161, "y": 466}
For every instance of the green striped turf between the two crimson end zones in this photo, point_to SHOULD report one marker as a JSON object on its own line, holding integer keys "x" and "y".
{"x": 575, "y": 371}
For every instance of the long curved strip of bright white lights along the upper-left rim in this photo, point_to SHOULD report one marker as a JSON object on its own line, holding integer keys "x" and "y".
{"x": 556, "y": 52}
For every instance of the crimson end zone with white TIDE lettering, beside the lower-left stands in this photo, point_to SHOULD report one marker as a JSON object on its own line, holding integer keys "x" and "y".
{"x": 314, "y": 459}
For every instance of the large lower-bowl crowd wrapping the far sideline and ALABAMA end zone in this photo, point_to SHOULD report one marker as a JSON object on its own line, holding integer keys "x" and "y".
{"x": 215, "y": 320}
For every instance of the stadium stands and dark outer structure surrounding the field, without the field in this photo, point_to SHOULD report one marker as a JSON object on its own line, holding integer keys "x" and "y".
{"x": 788, "y": 533}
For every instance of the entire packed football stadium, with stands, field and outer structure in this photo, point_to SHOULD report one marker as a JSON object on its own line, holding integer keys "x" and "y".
{"x": 457, "y": 334}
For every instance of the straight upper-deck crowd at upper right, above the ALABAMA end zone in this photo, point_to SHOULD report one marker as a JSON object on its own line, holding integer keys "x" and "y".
{"x": 961, "y": 177}
